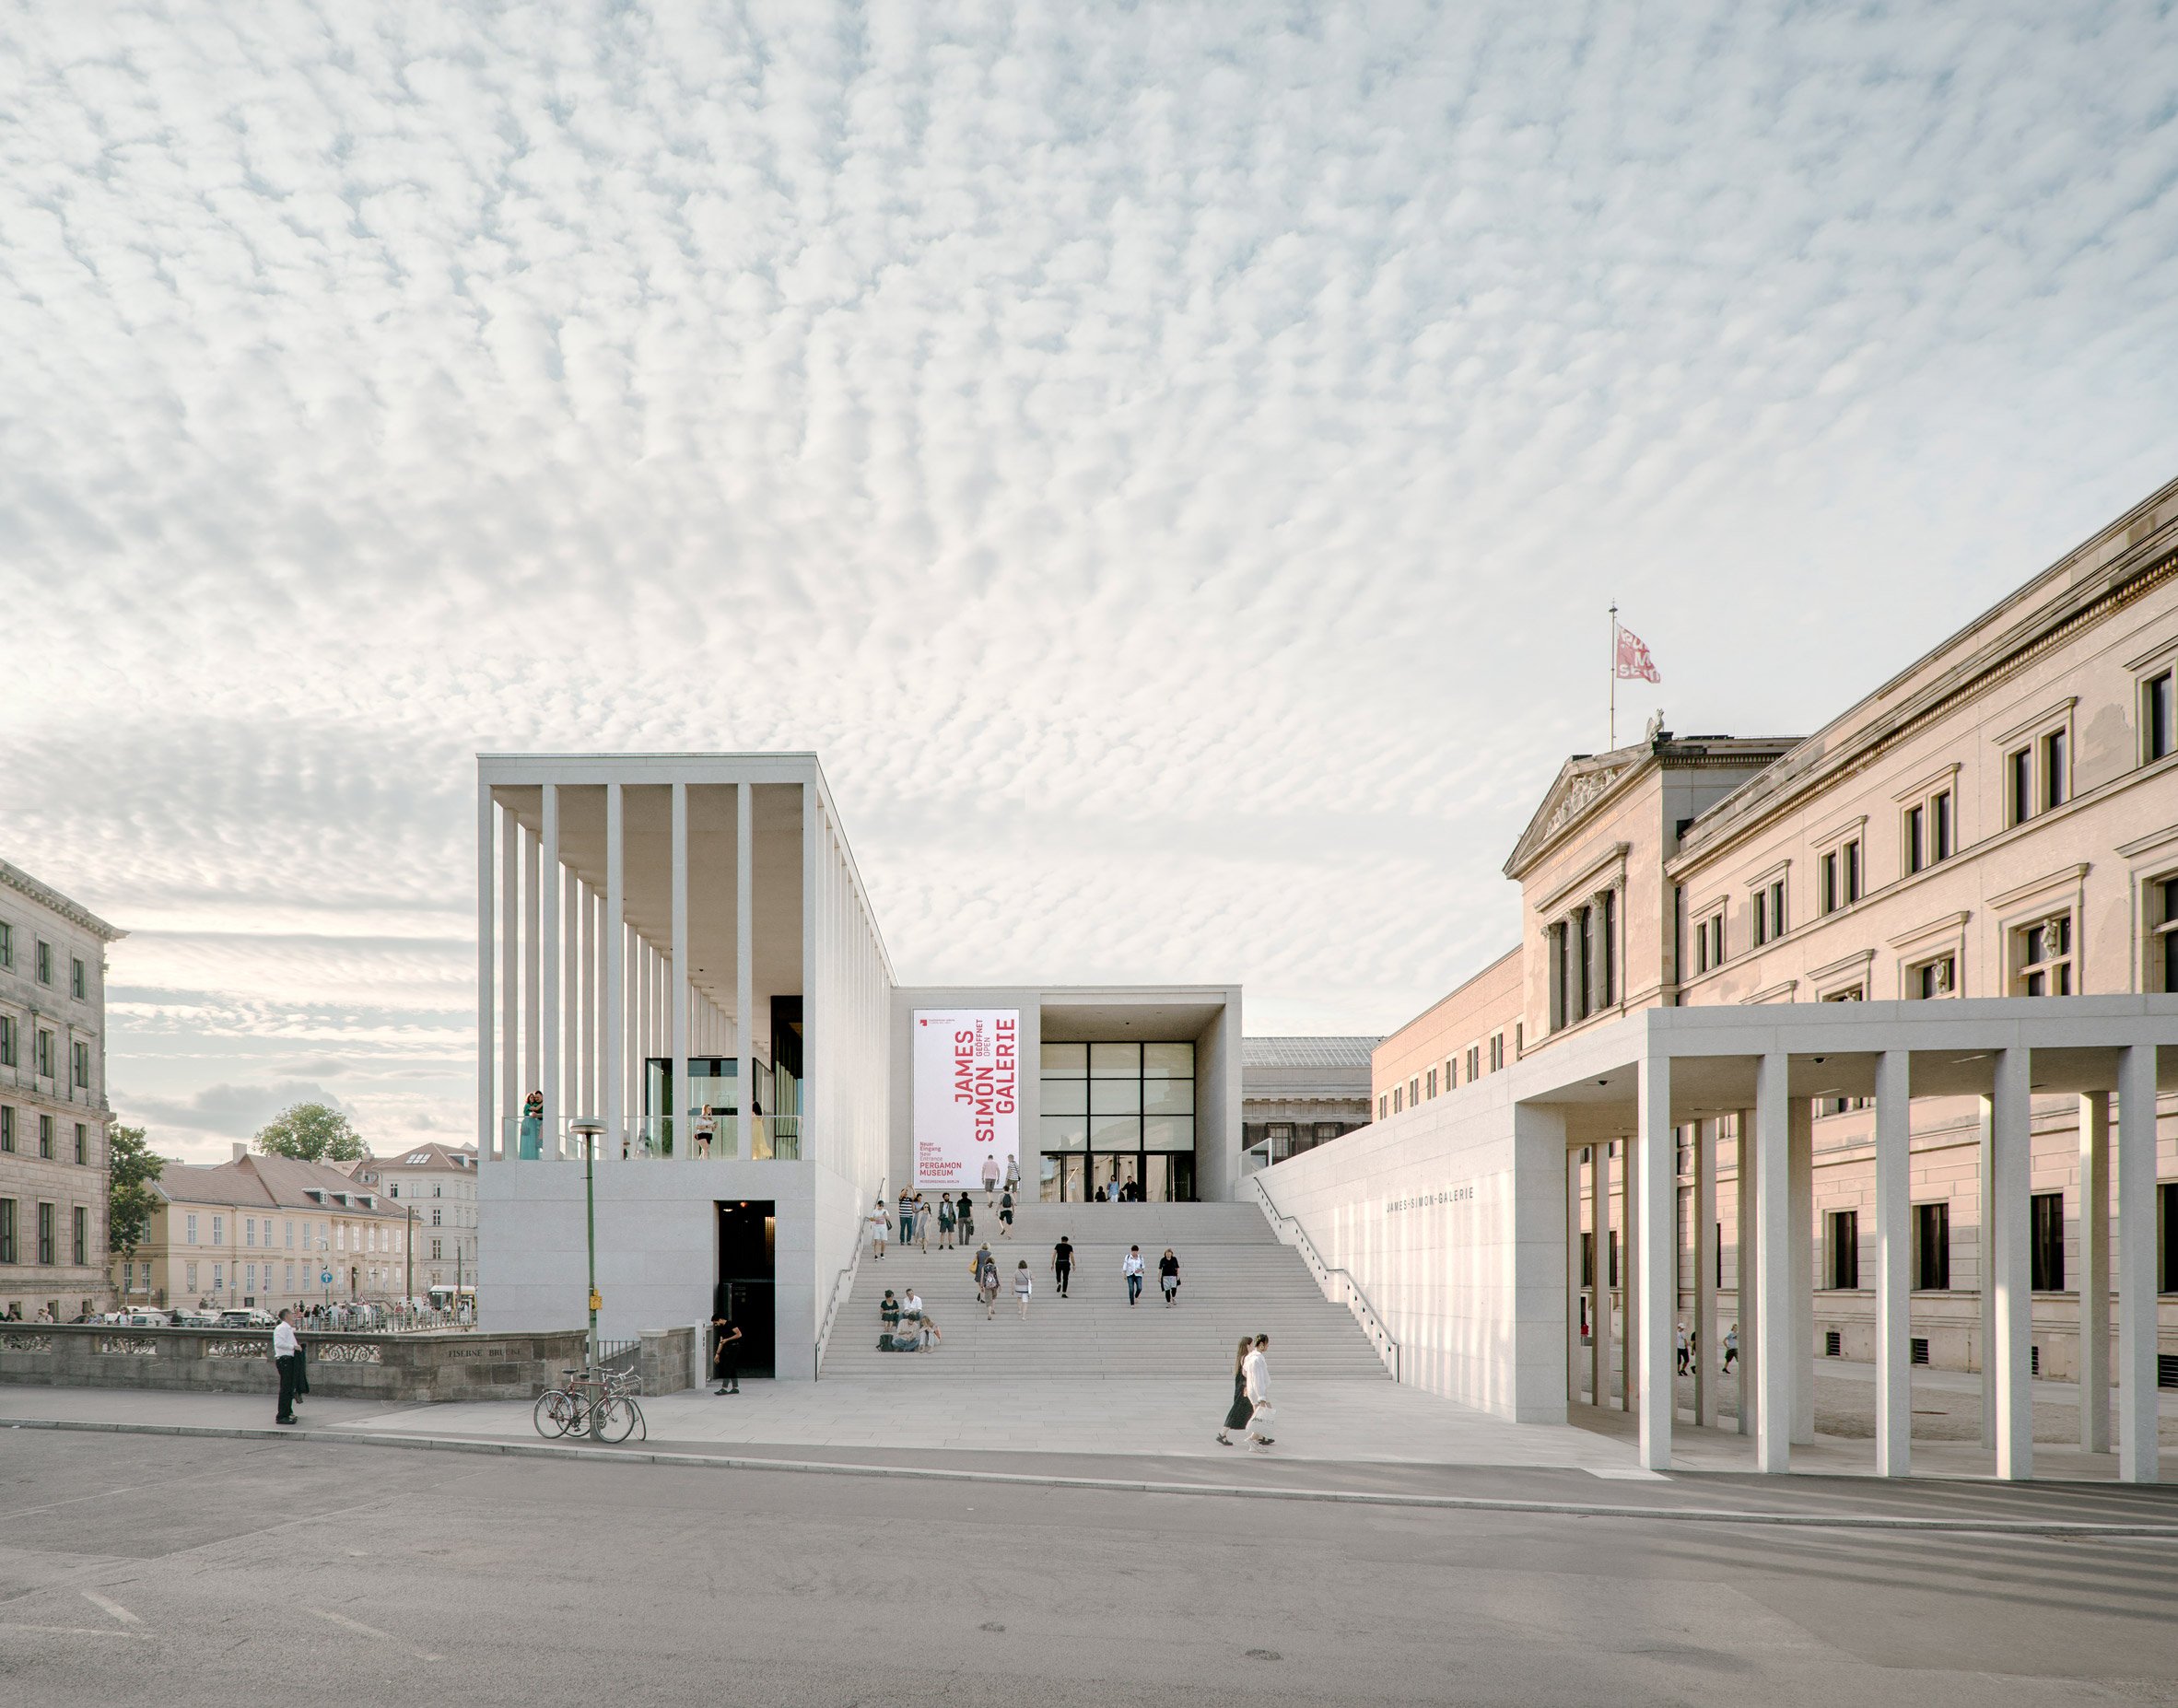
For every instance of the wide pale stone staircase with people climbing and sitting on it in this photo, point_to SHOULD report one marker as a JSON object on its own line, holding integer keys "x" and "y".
{"x": 1236, "y": 1280}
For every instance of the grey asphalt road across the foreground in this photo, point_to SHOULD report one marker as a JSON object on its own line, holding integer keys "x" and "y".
{"x": 208, "y": 1572}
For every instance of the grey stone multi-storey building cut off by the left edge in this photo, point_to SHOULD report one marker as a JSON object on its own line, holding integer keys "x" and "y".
{"x": 53, "y": 1101}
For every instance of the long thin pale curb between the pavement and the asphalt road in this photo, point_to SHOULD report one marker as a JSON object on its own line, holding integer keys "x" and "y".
{"x": 2088, "y": 1528}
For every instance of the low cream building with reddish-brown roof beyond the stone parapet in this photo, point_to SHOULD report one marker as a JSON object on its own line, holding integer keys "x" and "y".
{"x": 267, "y": 1232}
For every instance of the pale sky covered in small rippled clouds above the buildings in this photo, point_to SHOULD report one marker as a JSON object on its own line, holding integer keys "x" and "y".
{"x": 1171, "y": 461}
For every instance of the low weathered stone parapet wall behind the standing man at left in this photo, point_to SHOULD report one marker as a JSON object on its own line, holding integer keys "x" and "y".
{"x": 408, "y": 1369}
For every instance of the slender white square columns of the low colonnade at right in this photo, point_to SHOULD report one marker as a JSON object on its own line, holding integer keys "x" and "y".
{"x": 1776, "y": 1262}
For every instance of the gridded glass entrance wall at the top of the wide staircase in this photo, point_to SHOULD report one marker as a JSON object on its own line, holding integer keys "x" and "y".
{"x": 1118, "y": 1119}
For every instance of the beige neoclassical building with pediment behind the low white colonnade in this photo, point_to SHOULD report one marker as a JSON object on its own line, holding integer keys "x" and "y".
{"x": 1994, "y": 829}
